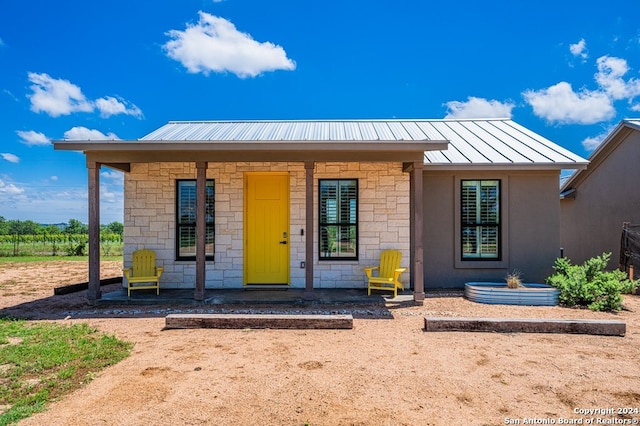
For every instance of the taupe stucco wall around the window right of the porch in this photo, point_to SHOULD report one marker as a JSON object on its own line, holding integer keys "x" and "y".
{"x": 530, "y": 228}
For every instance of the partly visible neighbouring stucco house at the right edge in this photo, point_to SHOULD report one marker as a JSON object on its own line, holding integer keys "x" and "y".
{"x": 596, "y": 201}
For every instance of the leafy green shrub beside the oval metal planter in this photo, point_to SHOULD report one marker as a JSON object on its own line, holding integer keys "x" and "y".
{"x": 589, "y": 285}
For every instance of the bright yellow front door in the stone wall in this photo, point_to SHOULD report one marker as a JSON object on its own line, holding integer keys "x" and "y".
{"x": 266, "y": 228}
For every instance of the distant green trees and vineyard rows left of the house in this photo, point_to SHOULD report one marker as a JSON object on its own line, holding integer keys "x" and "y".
{"x": 28, "y": 238}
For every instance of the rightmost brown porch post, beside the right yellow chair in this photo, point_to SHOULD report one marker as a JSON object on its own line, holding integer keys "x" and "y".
{"x": 417, "y": 231}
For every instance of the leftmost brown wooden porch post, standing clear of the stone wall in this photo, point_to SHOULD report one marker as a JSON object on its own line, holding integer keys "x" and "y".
{"x": 94, "y": 292}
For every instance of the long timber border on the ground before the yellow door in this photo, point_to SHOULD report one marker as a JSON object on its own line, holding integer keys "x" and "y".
{"x": 274, "y": 321}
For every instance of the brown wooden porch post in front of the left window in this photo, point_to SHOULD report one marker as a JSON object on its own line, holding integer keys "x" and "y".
{"x": 201, "y": 228}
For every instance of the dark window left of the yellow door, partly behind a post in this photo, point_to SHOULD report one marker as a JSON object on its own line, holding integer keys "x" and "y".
{"x": 186, "y": 219}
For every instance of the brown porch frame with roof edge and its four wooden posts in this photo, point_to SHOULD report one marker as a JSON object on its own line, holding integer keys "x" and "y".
{"x": 201, "y": 152}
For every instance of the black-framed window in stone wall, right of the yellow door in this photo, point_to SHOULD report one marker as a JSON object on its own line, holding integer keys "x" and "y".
{"x": 338, "y": 225}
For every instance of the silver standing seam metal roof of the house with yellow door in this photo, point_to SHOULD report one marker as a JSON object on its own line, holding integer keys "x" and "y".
{"x": 472, "y": 142}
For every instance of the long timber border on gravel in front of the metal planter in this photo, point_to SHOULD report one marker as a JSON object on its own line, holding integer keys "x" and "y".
{"x": 526, "y": 325}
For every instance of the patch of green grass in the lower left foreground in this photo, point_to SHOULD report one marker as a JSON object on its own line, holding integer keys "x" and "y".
{"x": 42, "y": 362}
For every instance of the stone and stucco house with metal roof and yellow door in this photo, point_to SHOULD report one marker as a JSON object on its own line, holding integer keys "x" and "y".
{"x": 308, "y": 204}
